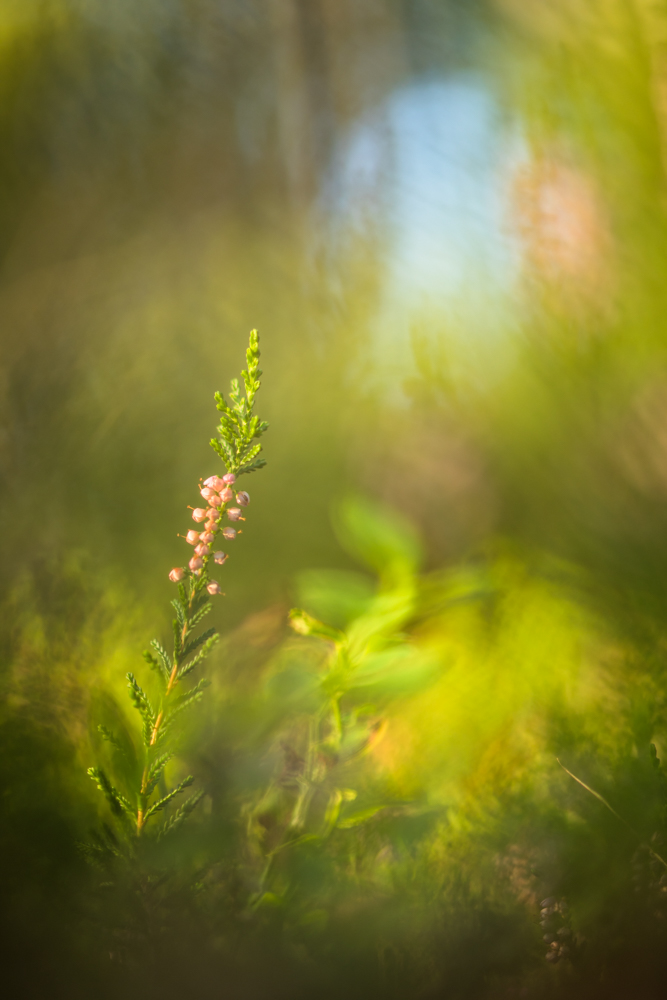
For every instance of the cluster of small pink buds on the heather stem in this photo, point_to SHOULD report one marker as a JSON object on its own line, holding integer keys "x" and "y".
{"x": 217, "y": 492}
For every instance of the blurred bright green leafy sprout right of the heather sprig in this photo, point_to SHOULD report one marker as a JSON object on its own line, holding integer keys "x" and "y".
{"x": 363, "y": 664}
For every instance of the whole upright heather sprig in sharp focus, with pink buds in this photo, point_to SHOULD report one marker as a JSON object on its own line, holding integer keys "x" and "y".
{"x": 238, "y": 432}
